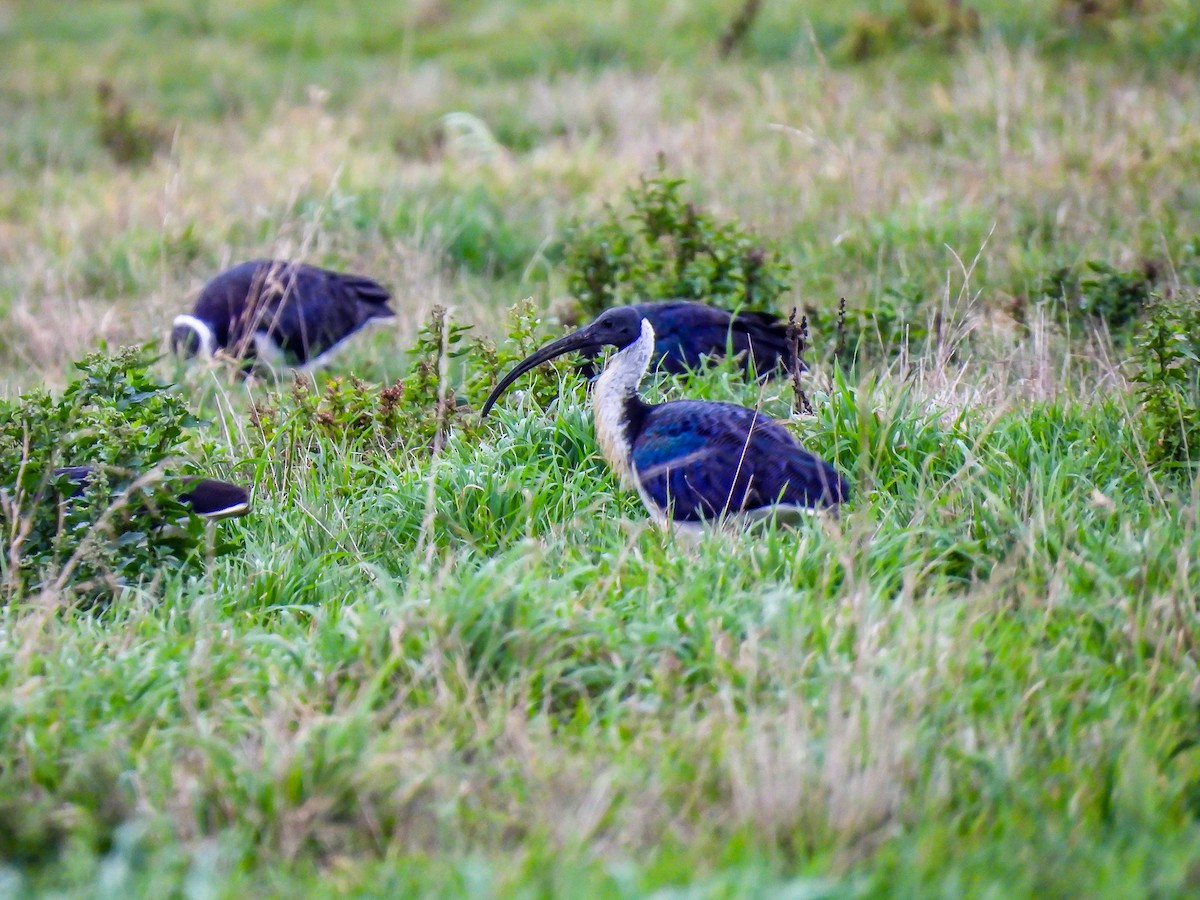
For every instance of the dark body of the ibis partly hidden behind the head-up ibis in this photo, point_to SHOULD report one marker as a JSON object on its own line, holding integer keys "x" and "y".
{"x": 686, "y": 332}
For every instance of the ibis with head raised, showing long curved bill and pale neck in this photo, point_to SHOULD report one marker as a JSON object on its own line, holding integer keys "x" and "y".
{"x": 693, "y": 463}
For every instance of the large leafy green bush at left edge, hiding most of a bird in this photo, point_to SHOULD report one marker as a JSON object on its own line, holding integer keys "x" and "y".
{"x": 129, "y": 523}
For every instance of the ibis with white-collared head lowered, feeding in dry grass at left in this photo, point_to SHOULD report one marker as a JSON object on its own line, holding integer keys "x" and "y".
{"x": 279, "y": 313}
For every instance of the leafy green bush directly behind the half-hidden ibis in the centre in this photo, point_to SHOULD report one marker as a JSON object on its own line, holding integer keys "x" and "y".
{"x": 667, "y": 248}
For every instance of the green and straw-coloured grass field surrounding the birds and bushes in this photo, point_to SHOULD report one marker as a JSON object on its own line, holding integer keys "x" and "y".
{"x": 471, "y": 665}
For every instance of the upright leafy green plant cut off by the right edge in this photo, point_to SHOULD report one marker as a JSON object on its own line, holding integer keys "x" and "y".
{"x": 1167, "y": 371}
